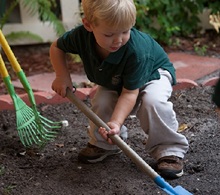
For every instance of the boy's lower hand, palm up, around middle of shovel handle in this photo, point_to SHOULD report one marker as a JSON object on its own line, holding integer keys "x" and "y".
{"x": 115, "y": 129}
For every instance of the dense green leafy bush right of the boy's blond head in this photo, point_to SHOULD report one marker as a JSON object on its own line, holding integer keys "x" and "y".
{"x": 164, "y": 19}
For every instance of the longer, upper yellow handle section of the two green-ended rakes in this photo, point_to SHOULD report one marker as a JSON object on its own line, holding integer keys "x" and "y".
{"x": 9, "y": 53}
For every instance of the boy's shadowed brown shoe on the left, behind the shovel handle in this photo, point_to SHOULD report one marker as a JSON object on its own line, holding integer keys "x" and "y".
{"x": 94, "y": 154}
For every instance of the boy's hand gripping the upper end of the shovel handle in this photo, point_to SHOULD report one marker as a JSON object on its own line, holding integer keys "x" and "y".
{"x": 60, "y": 84}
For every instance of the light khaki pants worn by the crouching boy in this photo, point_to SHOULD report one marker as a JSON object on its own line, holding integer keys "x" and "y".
{"x": 156, "y": 115}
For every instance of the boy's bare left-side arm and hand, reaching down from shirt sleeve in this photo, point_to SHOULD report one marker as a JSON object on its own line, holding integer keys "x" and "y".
{"x": 63, "y": 79}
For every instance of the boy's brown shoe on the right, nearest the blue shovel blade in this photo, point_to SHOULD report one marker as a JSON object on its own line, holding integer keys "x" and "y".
{"x": 170, "y": 167}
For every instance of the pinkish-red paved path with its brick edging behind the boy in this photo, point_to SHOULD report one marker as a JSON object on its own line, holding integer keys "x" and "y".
{"x": 191, "y": 71}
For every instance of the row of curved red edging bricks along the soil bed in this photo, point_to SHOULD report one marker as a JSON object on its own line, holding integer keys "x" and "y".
{"x": 85, "y": 93}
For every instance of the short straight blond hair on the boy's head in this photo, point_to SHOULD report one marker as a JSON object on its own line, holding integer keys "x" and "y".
{"x": 116, "y": 13}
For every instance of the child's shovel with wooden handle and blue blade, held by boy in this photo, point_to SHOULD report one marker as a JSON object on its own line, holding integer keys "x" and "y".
{"x": 178, "y": 190}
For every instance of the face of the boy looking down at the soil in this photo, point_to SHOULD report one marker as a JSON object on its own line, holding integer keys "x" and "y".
{"x": 108, "y": 38}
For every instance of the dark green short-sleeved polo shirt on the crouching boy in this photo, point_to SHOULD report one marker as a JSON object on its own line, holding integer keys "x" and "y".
{"x": 133, "y": 65}
